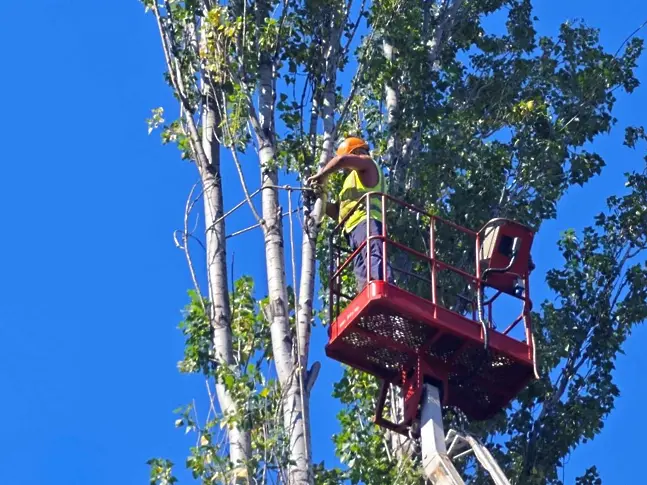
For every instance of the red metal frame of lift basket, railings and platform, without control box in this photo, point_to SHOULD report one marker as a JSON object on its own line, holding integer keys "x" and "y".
{"x": 381, "y": 297}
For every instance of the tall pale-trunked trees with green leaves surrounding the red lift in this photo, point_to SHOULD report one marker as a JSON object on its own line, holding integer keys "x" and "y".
{"x": 470, "y": 122}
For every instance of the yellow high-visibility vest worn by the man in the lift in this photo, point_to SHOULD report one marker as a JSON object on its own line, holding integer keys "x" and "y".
{"x": 352, "y": 191}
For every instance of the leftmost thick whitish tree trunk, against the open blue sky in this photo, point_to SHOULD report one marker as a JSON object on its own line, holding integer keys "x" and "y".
{"x": 219, "y": 311}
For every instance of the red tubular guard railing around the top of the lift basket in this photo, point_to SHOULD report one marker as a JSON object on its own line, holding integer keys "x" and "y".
{"x": 338, "y": 267}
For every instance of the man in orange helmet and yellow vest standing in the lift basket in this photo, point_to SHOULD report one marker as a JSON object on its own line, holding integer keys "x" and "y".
{"x": 363, "y": 175}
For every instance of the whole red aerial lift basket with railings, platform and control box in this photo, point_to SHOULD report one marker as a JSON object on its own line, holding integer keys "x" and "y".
{"x": 405, "y": 333}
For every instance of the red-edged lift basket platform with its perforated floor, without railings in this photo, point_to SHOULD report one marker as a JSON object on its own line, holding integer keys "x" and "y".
{"x": 384, "y": 329}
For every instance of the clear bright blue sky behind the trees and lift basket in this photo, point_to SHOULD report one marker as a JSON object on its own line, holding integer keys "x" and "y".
{"x": 92, "y": 285}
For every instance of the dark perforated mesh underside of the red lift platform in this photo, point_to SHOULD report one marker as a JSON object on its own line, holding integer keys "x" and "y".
{"x": 480, "y": 382}
